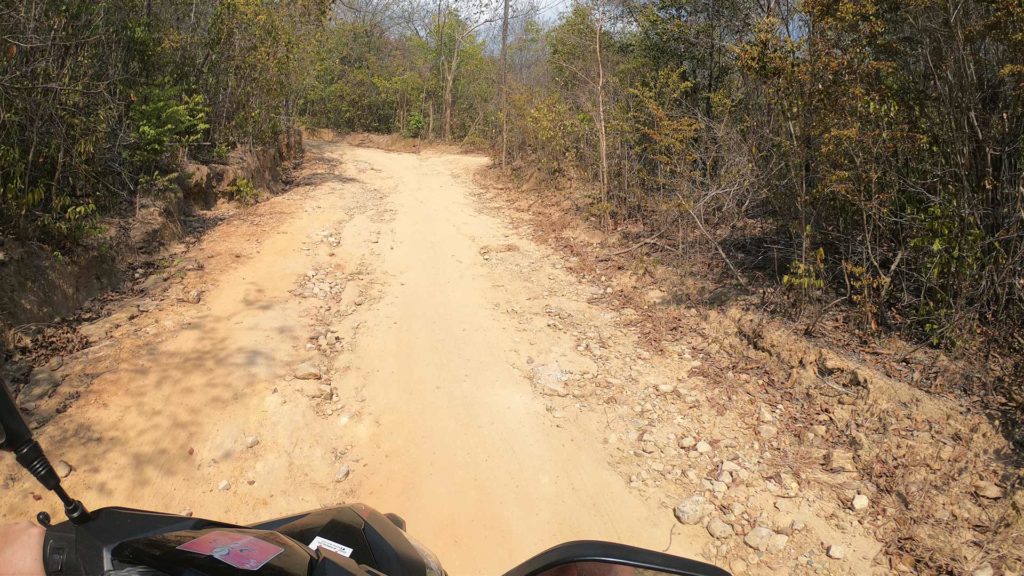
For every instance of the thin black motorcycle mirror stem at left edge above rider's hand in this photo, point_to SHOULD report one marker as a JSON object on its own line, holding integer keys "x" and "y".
{"x": 17, "y": 437}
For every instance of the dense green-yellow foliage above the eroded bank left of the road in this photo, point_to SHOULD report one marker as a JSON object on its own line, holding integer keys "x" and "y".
{"x": 102, "y": 100}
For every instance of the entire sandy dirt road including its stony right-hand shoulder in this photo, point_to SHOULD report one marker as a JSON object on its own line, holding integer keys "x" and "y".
{"x": 377, "y": 336}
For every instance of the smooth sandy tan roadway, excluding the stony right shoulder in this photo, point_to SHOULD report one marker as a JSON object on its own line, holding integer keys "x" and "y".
{"x": 374, "y": 337}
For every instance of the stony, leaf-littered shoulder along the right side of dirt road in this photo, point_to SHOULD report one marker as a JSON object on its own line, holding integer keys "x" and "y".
{"x": 794, "y": 458}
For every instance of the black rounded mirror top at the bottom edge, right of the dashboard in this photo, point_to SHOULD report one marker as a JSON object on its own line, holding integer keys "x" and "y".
{"x": 590, "y": 558}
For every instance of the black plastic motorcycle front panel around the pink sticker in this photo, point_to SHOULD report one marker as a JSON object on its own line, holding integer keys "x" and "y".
{"x": 119, "y": 539}
